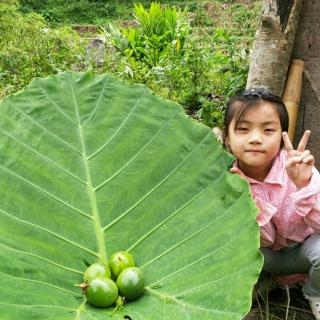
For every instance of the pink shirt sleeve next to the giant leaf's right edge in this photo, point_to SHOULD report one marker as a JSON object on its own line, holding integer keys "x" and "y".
{"x": 267, "y": 230}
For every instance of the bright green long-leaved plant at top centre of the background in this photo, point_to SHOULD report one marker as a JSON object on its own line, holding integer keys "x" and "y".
{"x": 159, "y": 31}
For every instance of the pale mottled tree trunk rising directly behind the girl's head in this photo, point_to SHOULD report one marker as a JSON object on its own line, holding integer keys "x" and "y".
{"x": 273, "y": 44}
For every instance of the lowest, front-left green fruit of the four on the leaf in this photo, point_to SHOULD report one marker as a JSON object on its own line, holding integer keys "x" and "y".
{"x": 101, "y": 292}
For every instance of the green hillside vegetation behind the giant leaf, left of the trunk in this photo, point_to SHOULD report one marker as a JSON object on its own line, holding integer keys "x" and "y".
{"x": 44, "y": 37}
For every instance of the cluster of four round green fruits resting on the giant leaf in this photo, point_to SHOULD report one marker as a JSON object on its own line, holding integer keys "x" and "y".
{"x": 116, "y": 282}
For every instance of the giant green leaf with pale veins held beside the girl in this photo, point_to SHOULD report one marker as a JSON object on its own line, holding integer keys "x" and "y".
{"x": 90, "y": 165}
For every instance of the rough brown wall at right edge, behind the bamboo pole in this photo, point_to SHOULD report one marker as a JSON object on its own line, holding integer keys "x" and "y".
{"x": 307, "y": 48}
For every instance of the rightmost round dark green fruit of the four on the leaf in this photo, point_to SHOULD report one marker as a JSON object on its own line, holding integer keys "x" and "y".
{"x": 130, "y": 283}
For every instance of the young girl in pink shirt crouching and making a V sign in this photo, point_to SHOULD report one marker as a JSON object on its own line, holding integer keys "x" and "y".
{"x": 284, "y": 184}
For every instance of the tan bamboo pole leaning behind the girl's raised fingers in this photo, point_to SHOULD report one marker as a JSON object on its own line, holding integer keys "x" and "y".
{"x": 292, "y": 93}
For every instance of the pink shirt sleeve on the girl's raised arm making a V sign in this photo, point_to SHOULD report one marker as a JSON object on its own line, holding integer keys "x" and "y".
{"x": 307, "y": 201}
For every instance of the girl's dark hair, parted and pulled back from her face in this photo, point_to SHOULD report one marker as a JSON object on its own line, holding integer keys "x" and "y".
{"x": 239, "y": 104}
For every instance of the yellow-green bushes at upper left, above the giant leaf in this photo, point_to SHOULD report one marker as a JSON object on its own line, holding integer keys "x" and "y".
{"x": 29, "y": 49}
